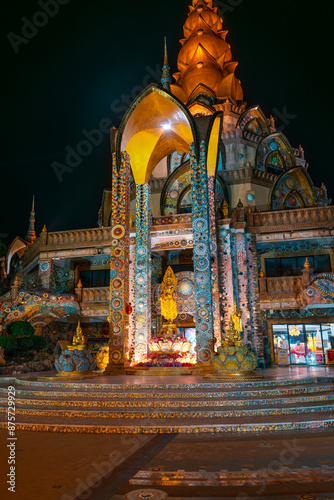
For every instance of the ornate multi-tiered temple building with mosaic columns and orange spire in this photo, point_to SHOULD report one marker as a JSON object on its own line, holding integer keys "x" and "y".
{"x": 204, "y": 183}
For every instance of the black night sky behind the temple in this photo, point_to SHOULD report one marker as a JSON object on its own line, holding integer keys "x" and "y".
{"x": 92, "y": 53}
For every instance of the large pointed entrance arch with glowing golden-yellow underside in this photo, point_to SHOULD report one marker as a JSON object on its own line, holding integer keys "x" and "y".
{"x": 156, "y": 125}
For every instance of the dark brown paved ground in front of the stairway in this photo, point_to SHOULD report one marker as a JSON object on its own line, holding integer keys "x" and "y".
{"x": 68, "y": 466}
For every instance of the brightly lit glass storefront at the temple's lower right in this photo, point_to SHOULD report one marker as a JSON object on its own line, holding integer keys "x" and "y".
{"x": 302, "y": 344}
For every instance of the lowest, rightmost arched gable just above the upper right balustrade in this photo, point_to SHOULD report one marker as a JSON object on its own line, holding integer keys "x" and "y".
{"x": 293, "y": 189}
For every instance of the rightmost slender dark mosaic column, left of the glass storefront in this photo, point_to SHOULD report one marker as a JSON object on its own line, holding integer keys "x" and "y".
{"x": 254, "y": 297}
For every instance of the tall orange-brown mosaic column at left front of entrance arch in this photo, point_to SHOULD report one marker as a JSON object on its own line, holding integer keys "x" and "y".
{"x": 119, "y": 263}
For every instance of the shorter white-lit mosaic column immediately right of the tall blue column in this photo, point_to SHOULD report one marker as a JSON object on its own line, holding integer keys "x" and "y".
{"x": 225, "y": 271}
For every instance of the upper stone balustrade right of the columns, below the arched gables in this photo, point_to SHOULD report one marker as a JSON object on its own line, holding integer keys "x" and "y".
{"x": 302, "y": 217}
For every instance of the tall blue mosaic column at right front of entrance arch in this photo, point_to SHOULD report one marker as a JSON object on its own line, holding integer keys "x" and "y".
{"x": 202, "y": 256}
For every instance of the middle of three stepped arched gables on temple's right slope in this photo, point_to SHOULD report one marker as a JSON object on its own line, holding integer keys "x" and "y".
{"x": 274, "y": 154}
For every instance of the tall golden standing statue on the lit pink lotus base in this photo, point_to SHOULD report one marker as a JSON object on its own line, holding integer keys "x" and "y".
{"x": 168, "y": 304}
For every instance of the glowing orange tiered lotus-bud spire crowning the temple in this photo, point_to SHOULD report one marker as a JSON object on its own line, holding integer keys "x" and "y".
{"x": 205, "y": 61}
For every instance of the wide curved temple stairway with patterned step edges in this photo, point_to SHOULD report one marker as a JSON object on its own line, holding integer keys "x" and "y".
{"x": 89, "y": 406}
